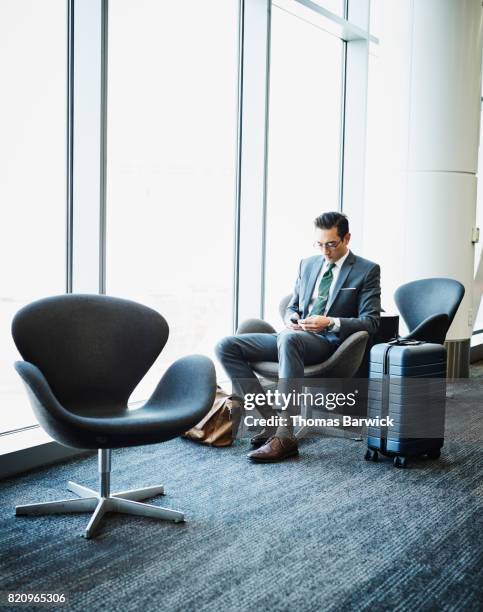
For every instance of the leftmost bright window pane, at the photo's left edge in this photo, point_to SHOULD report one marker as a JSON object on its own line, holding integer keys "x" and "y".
{"x": 33, "y": 63}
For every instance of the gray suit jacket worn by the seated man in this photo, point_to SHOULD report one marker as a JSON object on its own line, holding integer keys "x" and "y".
{"x": 355, "y": 300}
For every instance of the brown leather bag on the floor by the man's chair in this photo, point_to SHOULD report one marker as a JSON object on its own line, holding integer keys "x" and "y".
{"x": 219, "y": 426}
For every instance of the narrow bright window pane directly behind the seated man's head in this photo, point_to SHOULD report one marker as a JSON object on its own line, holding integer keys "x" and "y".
{"x": 304, "y": 149}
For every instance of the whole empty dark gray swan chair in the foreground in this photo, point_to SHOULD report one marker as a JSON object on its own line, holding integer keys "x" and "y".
{"x": 84, "y": 355}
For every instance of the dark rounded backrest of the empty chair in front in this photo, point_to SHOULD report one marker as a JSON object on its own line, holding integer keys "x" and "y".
{"x": 92, "y": 349}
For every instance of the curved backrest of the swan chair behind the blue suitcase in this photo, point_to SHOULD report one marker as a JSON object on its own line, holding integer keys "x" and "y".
{"x": 420, "y": 299}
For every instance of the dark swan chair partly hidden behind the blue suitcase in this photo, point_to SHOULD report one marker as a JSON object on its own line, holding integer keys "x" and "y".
{"x": 428, "y": 307}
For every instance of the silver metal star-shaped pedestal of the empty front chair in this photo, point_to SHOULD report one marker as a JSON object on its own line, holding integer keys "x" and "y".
{"x": 125, "y": 502}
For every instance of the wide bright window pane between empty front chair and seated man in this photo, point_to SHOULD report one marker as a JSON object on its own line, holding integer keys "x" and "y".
{"x": 171, "y": 157}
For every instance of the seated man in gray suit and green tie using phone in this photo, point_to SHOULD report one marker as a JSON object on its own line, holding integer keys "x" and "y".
{"x": 336, "y": 294}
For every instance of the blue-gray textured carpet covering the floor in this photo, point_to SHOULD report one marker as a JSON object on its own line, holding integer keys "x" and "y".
{"x": 325, "y": 531}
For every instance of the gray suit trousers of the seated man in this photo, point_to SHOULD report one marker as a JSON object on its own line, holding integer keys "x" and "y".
{"x": 291, "y": 348}
